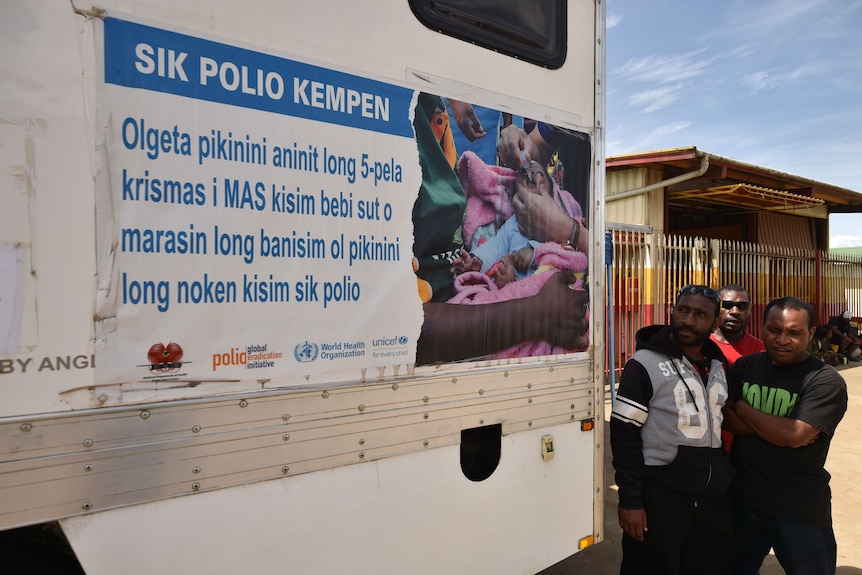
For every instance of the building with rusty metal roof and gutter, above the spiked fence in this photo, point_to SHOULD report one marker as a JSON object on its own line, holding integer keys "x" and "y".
{"x": 686, "y": 191}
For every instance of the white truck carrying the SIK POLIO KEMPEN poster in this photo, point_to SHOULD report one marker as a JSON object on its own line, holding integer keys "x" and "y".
{"x": 231, "y": 340}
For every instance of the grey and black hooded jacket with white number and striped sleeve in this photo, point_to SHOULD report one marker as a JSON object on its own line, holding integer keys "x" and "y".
{"x": 666, "y": 423}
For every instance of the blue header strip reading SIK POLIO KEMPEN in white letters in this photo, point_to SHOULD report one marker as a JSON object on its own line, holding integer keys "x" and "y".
{"x": 138, "y": 56}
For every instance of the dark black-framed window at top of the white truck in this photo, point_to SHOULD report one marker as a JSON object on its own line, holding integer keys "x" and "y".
{"x": 534, "y": 31}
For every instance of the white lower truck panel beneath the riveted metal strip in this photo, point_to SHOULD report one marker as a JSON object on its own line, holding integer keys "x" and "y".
{"x": 411, "y": 514}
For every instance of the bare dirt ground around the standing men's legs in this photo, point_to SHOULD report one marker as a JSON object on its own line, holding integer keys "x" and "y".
{"x": 844, "y": 463}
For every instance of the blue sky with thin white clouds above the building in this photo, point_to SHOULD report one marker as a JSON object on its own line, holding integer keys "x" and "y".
{"x": 777, "y": 83}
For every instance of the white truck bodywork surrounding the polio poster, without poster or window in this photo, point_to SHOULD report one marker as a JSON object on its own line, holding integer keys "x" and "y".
{"x": 247, "y": 477}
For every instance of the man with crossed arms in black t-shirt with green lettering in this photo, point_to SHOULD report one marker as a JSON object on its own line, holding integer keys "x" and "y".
{"x": 783, "y": 408}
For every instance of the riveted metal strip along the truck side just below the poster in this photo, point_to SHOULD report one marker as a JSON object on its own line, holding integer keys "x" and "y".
{"x": 65, "y": 464}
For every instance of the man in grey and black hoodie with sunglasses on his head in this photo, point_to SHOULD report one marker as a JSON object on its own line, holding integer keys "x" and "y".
{"x": 671, "y": 471}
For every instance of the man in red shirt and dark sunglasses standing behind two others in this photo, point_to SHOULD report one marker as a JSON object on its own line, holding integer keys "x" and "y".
{"x": 731, "y": 335}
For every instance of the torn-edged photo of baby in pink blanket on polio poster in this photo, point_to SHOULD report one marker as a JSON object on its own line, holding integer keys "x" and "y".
{"x": 500, "y": 236}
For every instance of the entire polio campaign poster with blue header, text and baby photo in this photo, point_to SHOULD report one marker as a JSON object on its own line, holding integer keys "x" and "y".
{"x": 266, "y": 219}
